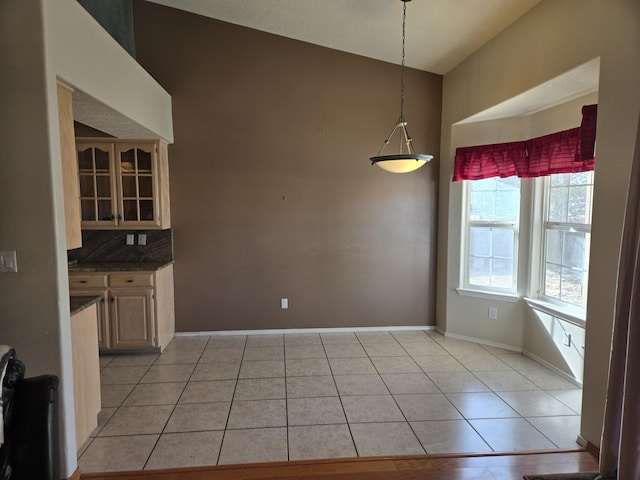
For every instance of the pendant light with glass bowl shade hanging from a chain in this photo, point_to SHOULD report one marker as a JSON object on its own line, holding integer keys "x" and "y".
{"x": 406, "y": 160}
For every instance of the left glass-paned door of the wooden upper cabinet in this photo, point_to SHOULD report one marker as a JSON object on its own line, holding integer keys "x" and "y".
{"x": 96, "y": 183}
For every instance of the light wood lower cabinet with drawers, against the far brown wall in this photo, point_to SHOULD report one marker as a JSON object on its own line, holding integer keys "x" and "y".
{"x": 136, "y": 311}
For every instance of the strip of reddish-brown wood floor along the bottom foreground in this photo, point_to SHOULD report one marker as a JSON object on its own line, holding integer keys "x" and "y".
{"x": 429, "y": 467}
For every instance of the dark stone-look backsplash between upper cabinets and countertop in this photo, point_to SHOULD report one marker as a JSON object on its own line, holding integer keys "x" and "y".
{"x": 110, "y": 246}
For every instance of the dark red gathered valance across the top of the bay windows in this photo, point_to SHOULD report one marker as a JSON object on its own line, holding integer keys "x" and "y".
{"x": 568, "y": 151}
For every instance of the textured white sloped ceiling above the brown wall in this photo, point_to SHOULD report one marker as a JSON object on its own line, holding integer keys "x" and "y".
{"x": 440, "y": 33}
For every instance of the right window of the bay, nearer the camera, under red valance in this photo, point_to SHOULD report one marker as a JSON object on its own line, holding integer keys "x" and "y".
{"x": 567, "y": 238}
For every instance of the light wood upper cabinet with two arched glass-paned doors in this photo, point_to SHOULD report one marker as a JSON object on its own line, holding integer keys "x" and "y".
{"x": 123, "y": 184}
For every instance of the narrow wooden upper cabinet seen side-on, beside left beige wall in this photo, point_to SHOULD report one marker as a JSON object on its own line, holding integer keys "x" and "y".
{"x": 69, "y": 167}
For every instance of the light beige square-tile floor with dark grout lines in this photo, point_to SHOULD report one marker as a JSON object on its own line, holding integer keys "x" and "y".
{"x": 244, "y": 399}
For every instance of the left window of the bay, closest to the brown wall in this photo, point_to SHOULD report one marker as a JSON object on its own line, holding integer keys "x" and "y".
{"x": 493, "y": 210}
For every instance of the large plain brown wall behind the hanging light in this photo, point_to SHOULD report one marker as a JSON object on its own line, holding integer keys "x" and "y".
{"x": 272, "y": 193}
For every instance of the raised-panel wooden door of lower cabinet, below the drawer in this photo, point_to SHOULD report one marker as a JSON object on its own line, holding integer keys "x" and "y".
{"x": 131, "y": 318}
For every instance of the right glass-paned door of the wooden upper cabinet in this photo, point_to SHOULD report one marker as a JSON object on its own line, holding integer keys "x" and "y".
{"x": 136, "y": 183}
